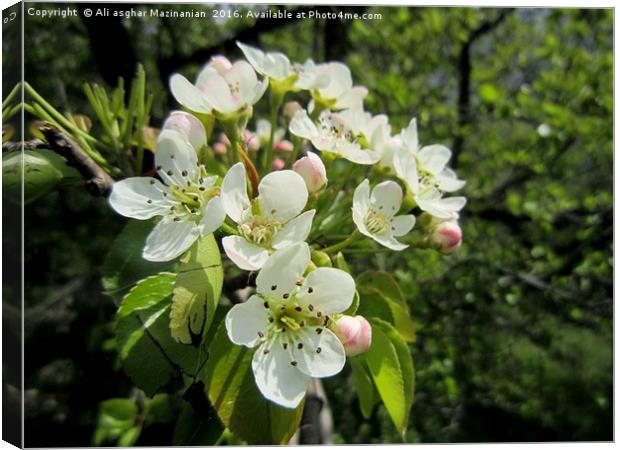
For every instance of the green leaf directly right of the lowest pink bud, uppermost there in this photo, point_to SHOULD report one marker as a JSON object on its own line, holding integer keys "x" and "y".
{"x": 381, "y": 297}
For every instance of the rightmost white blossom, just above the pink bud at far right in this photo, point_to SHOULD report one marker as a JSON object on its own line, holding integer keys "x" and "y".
{"x": 425, "y": 172}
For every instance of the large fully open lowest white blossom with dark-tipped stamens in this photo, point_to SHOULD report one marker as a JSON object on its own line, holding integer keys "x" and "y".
{"x": 288, "y": 320}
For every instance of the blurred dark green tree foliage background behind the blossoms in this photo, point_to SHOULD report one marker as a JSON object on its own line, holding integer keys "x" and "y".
{"x": 514, "y": 331}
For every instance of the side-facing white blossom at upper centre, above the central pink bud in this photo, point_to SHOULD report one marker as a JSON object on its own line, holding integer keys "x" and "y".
{"x": 343, "y": 134}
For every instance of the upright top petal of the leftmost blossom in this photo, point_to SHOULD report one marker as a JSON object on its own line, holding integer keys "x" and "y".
{"x": 175, "y": 158}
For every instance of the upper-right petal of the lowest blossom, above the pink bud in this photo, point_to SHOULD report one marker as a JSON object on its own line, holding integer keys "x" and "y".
{"x": 328, "y": 290}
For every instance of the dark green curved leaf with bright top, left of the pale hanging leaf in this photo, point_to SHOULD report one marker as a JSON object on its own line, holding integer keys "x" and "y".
{"x": 150, "y": 356}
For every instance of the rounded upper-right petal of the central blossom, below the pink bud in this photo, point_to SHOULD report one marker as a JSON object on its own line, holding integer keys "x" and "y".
{"x": 282, "y": 195}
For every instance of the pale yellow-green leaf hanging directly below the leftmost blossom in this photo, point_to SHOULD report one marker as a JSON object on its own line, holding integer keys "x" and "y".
{"x": 197, "y": 290}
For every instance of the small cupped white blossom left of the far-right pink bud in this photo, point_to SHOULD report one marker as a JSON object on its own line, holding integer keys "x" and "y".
{"x": 374, "y": 213}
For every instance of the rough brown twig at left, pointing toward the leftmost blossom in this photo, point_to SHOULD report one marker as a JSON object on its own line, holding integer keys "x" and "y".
{"x": 98, "y": 182}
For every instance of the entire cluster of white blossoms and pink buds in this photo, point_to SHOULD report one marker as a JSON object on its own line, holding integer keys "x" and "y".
{"x": 262, "y": 191}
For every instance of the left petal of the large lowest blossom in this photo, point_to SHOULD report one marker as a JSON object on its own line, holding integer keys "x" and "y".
{"x": 245, "y": 320}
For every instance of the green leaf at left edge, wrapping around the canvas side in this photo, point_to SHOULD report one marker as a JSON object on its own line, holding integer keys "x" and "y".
{"x": 43, "y": 171}
